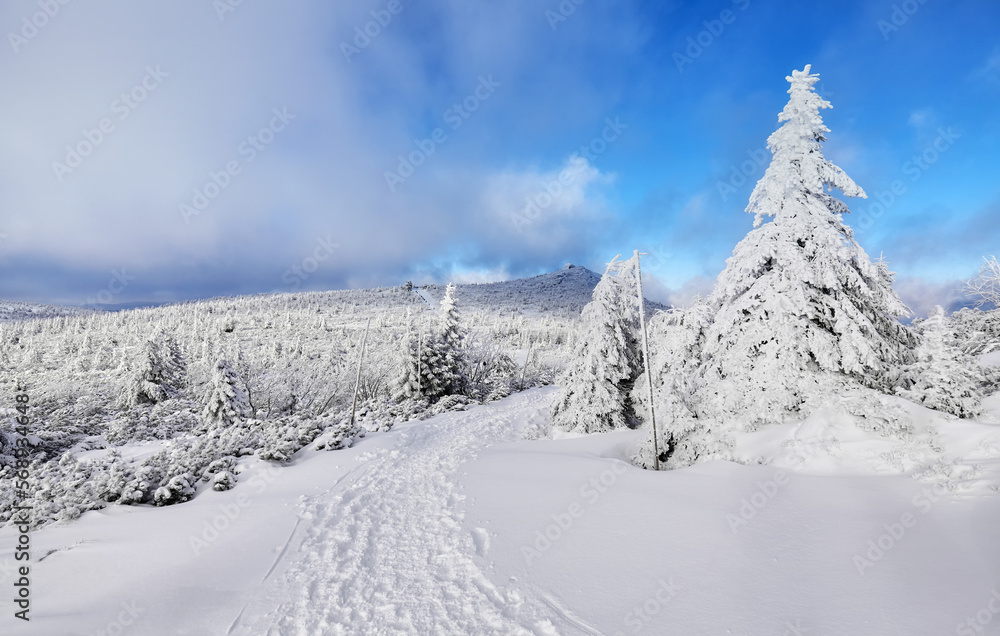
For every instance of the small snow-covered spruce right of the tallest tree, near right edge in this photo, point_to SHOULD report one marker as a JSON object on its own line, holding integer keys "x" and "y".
{"x": 943, "y": 377}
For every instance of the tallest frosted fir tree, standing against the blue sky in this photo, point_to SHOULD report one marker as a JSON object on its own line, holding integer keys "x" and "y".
{"x": 800, "y": 307}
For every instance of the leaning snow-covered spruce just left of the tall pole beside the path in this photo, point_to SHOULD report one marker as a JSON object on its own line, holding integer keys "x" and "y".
{"x": 605, "y": 363}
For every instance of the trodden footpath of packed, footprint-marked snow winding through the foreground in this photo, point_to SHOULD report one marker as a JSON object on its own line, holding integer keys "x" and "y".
{"x": 387, "y": 553}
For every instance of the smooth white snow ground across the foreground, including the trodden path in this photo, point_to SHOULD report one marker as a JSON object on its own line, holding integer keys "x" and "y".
{"x": 459, "y": 525}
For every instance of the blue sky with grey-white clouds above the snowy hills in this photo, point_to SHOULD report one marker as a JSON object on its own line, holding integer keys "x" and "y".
{"x": 165, "y": 151}
